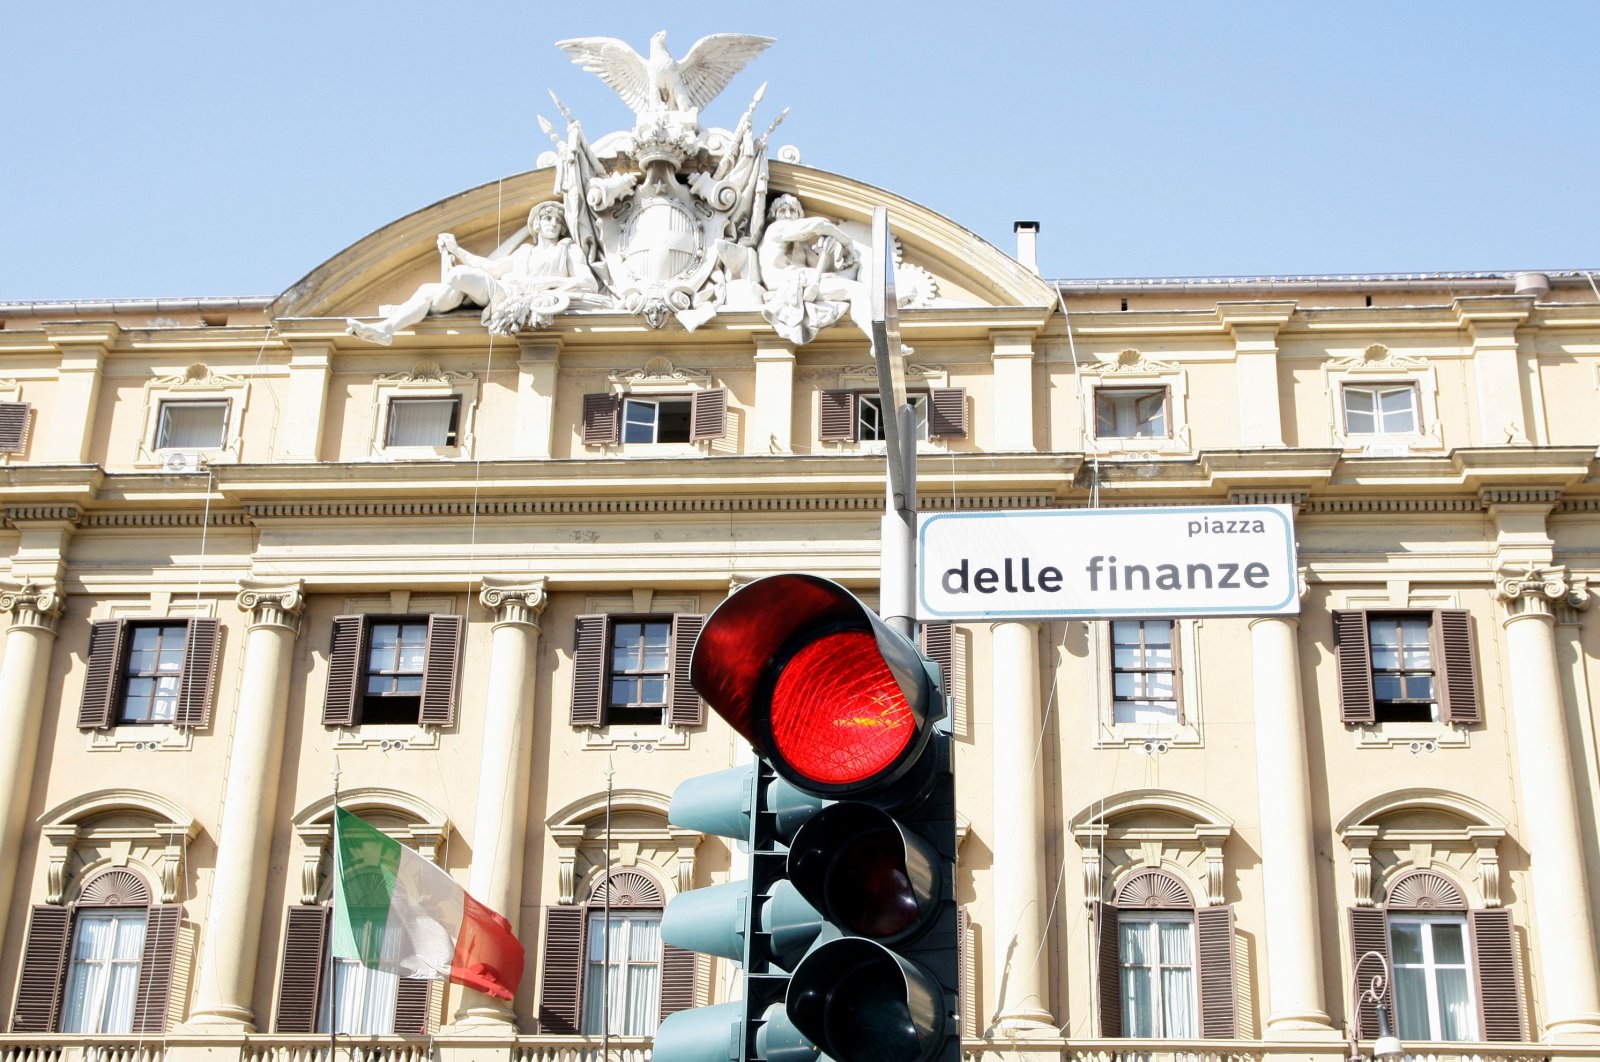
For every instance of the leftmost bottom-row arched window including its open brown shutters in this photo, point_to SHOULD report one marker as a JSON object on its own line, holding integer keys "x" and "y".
{"x": 102, "y": 964}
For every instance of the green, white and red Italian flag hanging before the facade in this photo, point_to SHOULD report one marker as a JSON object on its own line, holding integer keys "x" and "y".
{"x": 398, "y": 912}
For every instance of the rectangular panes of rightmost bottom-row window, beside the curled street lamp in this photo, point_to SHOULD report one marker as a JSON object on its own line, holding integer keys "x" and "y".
{"x": 1433, "y": 972}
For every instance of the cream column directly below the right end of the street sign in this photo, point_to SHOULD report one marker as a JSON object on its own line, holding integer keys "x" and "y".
{"x": 1289, "y": 848}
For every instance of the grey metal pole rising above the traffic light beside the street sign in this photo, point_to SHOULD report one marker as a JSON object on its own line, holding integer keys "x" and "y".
{"x": 898, "y": 537}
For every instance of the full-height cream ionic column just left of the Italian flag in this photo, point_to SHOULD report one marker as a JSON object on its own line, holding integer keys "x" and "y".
{"x": 244, "y": 842}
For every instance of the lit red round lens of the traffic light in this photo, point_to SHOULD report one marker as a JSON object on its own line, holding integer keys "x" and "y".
{"x": 838, "y": 714}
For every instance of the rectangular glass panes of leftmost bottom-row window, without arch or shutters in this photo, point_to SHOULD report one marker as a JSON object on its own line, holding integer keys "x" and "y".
{"x": 103, "y": 983}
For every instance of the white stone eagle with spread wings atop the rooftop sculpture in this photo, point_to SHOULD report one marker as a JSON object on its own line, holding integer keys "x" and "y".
{"x": 662, "y": 84}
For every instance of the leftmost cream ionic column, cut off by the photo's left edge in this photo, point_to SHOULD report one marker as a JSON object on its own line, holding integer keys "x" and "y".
{"x": 34, "y": 607}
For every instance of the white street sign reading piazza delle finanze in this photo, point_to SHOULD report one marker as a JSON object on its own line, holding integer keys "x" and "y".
{"x": 1097, "y": 564}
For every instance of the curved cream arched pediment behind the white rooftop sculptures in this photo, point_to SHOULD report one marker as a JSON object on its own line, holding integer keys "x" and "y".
{"x": 391, "y": 263}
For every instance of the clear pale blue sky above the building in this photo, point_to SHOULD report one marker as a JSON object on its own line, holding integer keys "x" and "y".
{"x": 217, "y": 150}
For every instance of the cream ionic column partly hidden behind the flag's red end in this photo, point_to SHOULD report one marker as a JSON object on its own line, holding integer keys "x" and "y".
{"x": 500, "y": 829}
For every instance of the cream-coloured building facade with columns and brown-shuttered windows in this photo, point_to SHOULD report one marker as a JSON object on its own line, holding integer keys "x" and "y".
{"x": 250, "y": 557}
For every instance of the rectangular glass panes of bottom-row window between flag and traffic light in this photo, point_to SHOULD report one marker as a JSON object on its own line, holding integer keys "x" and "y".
{"x": 623, "y": 975}
